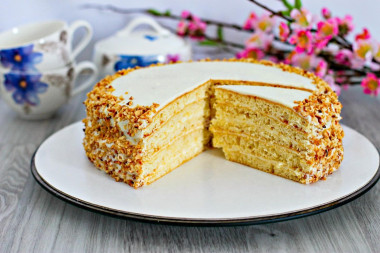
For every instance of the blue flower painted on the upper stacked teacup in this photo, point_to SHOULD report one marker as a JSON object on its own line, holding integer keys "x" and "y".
{"x": 21, "y": 58}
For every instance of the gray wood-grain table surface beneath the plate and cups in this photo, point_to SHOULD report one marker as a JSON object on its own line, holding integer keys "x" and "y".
{"x": 32, "y": 220}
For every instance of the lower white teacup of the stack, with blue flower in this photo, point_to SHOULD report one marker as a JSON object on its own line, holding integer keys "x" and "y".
{"x": 38, "y": 95}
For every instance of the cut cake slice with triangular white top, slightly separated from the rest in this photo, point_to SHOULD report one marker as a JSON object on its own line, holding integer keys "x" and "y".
{"x": 257, "y": 126}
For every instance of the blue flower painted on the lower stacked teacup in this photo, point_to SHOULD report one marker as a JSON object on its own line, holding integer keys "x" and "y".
{"x": 25, "y": 87}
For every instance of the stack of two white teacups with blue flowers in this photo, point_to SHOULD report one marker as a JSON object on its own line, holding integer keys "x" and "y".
{"x": 38, "y": 69}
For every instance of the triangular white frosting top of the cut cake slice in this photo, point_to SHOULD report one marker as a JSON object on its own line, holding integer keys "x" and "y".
{"x": 282, "y": 96}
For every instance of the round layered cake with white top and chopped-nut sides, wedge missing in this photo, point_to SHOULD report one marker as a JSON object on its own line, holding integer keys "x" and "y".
{"x": 143, "y": 123}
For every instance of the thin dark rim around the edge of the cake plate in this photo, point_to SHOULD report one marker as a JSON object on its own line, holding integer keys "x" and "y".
{"x": 206, "y": 221}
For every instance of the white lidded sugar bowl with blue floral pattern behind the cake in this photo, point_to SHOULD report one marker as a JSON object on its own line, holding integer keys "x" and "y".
{"x": 131, "y": 47}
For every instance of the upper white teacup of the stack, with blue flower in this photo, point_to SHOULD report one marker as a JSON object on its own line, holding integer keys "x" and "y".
{"x": 42, "y": 46}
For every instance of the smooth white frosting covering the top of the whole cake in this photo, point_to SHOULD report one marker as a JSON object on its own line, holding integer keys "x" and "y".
{"x": 163, "y": 84}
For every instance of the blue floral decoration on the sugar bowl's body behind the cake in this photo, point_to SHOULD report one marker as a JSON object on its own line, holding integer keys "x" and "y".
{"x": 131, "y": 61}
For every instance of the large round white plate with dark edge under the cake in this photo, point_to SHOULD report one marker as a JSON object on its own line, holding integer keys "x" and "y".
{"x": 206, "y": 190}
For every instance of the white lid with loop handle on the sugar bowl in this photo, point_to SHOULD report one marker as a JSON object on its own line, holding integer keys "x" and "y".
{"x": 130, "y": 41}
